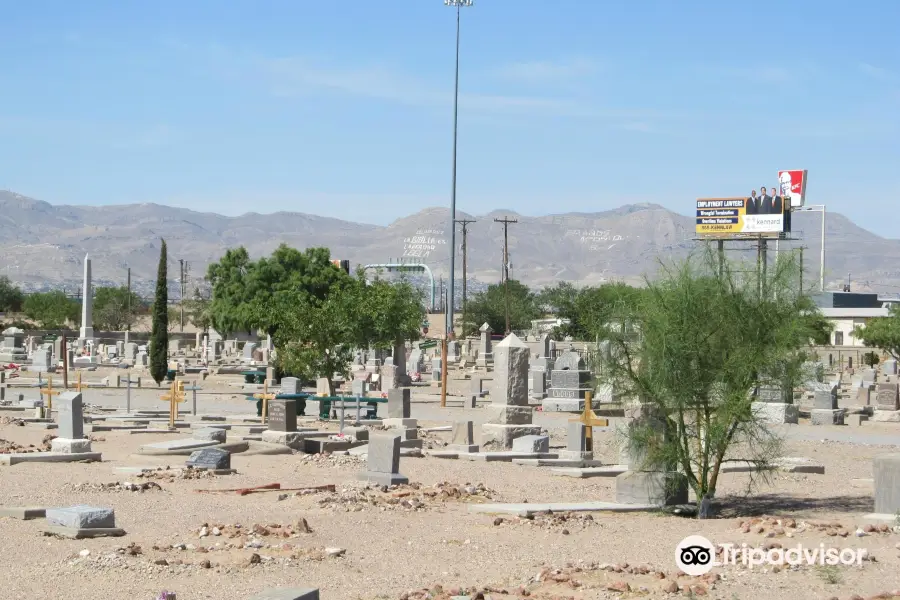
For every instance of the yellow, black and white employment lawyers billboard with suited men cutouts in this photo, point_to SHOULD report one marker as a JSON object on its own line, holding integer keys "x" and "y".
{"x": 755, "y": 216}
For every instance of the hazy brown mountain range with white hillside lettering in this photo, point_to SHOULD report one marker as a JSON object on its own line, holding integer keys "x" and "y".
{"x": 44, "y": 245}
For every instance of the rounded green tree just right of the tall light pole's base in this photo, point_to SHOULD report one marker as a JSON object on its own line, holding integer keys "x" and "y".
{"x": 489, "y": 307}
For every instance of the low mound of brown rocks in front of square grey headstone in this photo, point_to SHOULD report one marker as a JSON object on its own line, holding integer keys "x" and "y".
{"x": 414, "y": 496}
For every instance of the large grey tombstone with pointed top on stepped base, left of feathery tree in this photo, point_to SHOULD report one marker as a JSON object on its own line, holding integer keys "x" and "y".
{"x": 509, "y": 415}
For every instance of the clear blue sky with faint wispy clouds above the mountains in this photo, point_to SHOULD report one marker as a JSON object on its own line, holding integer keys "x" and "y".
{"x": 344, "y": 107}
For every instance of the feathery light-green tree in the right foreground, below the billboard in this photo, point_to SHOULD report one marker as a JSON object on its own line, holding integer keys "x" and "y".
{"x": 705, "y": 339}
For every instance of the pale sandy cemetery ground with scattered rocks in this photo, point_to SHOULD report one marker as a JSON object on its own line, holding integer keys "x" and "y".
{"x": 355, "y": 542}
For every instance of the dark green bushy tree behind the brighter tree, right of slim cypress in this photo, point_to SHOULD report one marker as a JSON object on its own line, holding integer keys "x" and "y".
{"x": 241, "y": 287}
